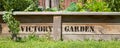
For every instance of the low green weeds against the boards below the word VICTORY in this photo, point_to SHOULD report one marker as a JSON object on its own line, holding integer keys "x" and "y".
{"x": 34, "y": 37}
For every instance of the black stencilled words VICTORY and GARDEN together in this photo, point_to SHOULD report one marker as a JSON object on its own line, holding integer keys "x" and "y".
{"x": 50, "y": 28}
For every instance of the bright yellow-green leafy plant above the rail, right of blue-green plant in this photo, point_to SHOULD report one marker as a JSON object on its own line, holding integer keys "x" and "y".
{"x": 96, "y": 6}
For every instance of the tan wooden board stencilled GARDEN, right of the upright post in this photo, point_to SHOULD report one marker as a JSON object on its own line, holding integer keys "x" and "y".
{"x": 91, "y": 28}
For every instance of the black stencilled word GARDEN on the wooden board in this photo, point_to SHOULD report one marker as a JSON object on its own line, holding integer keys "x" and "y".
{"x": 79, "y": 29}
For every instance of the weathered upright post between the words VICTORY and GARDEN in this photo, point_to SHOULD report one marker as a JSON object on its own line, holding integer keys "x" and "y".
{"x": 57, "y": 28}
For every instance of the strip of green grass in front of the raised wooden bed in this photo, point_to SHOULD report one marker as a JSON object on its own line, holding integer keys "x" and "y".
{"x": 7, "y": 43}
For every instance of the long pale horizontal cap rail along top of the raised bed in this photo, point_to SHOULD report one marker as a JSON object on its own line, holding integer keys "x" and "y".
{"x": 66, "y": 13}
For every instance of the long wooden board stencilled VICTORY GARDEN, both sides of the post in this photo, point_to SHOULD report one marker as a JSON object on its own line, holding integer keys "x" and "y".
{"x": 68, "y": 28}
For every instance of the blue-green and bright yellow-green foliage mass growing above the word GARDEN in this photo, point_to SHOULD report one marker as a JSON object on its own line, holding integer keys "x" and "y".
{"x": 93, "y": 6}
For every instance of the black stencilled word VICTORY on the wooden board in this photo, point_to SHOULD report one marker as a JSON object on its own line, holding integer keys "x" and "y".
{"x": 36, "y": 28}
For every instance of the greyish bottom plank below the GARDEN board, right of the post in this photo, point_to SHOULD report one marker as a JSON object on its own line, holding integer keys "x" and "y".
{"x": 92, "y": 37}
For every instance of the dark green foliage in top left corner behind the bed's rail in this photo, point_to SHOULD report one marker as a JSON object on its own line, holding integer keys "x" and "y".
{"x": 17, "y": 5}
